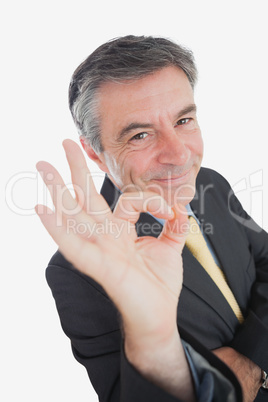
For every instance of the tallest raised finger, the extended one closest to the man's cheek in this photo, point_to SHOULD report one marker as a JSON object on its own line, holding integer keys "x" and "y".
{"x": 86, "y": 194}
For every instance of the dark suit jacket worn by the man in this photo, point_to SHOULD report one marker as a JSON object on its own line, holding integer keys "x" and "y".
{"x": 91, "y": 321}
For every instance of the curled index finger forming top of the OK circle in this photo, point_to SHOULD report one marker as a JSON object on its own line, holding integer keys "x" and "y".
{"x": 130, "y": 205}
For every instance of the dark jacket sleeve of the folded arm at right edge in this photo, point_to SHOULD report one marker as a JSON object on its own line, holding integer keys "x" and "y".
{"x": 251, "y": 337}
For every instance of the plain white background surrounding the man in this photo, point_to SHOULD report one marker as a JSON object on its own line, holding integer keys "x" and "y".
{"x": 42, "y": 43}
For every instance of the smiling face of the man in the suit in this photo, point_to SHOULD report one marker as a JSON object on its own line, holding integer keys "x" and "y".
{"x": 150, "y": 135}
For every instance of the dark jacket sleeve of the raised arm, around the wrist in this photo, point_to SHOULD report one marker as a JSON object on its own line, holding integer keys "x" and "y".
{"x": 91, "y": 321}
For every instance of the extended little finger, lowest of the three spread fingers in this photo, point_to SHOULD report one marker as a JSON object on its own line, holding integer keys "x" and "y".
{"x": 75, "y": 249}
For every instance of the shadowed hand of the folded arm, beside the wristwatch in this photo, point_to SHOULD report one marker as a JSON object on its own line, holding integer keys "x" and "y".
{"x": 247, "y": 372}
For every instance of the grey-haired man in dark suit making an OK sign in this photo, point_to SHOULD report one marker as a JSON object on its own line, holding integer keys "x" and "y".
{"x": 132, "y": 101}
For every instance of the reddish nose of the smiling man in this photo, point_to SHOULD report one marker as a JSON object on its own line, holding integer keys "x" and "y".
{"x": 173, "y": 149}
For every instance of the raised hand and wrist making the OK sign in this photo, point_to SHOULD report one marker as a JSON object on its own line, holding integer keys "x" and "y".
{"x": 142, "y": 276}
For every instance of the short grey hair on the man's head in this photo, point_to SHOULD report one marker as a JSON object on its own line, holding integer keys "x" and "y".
{"x": 125, "y": 58}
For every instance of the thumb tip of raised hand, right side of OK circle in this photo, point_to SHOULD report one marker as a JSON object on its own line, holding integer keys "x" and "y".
{"x": 176, "y": 229}
